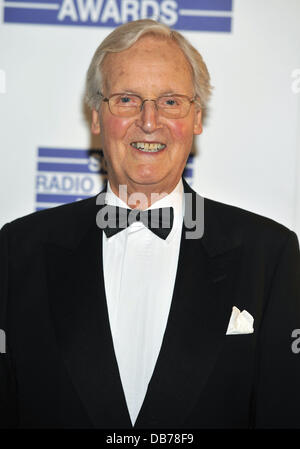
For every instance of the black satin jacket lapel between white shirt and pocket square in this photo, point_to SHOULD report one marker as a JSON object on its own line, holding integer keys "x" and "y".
{"x": 200, "y": 310}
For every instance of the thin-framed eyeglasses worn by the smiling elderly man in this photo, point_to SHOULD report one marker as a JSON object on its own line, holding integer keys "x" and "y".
{"x": 169, "y": 106}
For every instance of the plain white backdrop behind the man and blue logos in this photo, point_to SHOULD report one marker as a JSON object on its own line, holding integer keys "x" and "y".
{"x": 248, "y": 154}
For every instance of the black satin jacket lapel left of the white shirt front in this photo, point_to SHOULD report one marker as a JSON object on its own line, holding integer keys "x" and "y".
{"x": 78, "y": 303}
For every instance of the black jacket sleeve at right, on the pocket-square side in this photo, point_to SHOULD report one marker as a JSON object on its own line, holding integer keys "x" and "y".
{"x": 277, "y": 396}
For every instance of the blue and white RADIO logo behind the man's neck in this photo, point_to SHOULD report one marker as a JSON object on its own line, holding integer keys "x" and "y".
{"x": 66, "y": 175}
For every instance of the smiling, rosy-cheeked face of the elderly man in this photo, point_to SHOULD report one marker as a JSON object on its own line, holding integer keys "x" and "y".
{"x": 150, "y": 68}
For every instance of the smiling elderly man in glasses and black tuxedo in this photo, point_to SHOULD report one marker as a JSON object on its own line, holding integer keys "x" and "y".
{"x": 121, "y": 320}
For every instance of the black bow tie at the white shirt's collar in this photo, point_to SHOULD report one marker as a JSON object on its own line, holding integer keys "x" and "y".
{"x": 114, "y": 219}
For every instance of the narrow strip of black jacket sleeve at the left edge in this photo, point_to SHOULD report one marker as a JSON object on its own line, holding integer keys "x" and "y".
{"x": 8, "y": 391}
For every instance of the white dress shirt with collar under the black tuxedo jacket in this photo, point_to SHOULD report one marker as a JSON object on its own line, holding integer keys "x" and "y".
{"x": 139, "y": 275}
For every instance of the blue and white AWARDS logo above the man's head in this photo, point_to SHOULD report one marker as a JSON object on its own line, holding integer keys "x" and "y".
{"x": 195, "y": 15}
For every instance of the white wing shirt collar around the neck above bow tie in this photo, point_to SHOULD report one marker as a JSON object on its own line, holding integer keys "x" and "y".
{"x": 174, "y": 199}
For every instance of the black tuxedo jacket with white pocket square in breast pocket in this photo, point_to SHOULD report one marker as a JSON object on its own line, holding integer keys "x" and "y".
{"x": 60, "y": 370}
